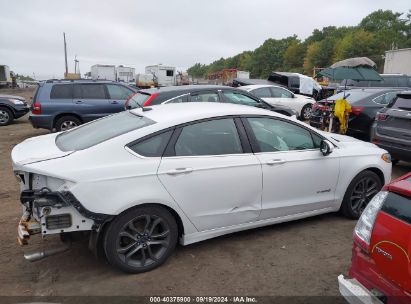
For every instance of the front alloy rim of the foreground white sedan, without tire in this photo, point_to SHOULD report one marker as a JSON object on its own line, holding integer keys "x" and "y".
{"x": 363, "y": 192}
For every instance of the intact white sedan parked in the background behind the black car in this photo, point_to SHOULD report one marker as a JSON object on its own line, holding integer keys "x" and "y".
{"x": 276, "y": 95}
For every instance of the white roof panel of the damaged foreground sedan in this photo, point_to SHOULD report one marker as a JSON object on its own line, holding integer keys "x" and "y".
{"x": 174, "y": 114}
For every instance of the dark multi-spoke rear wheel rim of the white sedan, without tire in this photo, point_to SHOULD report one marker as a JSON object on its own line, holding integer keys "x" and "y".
{"x": 143, "y": 240}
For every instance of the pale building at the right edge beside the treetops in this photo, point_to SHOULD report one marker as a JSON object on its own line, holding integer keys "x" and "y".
{"x": 398, "y": 61}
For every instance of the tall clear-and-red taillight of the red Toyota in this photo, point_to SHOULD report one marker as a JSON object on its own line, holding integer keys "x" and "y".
{"x": 365, "y": 225}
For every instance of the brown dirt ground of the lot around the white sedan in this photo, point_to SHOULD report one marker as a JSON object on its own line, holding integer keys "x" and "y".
{"x": 298, "y": 258}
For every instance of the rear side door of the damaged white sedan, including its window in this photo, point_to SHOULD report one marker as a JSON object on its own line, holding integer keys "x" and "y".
{"x": 212, "y": 175}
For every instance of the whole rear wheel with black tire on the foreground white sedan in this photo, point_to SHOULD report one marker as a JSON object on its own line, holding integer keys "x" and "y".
{"x": 141, "y": 239}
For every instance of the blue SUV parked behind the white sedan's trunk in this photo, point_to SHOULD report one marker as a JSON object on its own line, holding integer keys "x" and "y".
{"x": 64, "y": 104}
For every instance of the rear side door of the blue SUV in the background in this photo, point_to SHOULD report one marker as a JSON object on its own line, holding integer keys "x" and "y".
{"x": 91, "y": 101}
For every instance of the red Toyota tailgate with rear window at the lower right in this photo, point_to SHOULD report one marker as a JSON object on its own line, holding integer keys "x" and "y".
{"x": 390, "y": 246}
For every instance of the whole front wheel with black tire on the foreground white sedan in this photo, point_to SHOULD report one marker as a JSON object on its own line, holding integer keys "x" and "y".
{"x": 359, "y": 193}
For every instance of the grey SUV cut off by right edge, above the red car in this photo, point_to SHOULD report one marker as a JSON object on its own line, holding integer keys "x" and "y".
{"x": 392, "y": 127}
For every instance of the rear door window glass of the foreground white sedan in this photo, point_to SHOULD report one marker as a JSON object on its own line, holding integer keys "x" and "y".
{"x": 215, "y": 137}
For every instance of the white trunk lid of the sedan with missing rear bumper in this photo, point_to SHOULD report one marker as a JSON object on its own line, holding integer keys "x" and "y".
{"x": 36, "y": 149}
